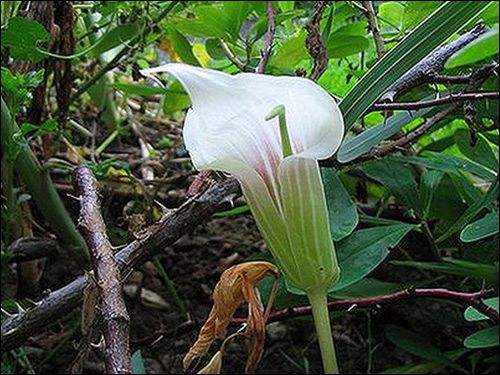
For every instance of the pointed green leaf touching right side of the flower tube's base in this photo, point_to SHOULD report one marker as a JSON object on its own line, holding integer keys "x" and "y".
{"x": 364, "y": 250}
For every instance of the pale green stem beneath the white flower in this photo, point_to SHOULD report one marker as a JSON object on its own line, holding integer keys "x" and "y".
{"x": 321, "y": 316}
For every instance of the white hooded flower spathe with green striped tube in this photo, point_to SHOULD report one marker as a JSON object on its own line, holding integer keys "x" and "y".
{"x": 226, "y": 129}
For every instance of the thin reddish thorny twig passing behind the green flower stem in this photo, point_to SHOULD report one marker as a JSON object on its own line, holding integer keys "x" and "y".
{"x": 473, "y": 299}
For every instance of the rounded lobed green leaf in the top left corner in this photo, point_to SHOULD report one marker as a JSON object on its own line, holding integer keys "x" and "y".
{"x": 22, "y": 37}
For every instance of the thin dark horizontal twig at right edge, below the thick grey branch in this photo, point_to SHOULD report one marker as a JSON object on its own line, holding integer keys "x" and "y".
{"x": 453, "y": 98}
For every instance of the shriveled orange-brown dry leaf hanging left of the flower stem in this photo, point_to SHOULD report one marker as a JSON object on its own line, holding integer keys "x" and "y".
{"x": 236, "y": 285}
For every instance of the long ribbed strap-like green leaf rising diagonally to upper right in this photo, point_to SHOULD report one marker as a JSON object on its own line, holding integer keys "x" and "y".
{"x": 436, "y": 29}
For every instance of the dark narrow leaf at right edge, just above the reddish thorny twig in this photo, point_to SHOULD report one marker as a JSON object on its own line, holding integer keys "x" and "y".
{"x": 455, "y": 267}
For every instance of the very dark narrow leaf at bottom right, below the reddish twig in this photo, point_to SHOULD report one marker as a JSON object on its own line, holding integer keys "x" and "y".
{"x": 417, "y": 345}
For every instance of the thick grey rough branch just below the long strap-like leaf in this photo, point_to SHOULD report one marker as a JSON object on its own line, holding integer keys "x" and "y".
{"x": 428, "y": 68}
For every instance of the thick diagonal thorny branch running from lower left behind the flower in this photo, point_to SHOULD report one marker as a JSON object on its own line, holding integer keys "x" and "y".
{"x": 17, "y": 329}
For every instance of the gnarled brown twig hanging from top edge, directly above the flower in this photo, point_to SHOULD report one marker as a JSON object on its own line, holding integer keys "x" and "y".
{"x": 314, "y": 42}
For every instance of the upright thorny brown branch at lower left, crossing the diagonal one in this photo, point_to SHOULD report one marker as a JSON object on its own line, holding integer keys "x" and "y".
{"x": 112, "y": 304}
